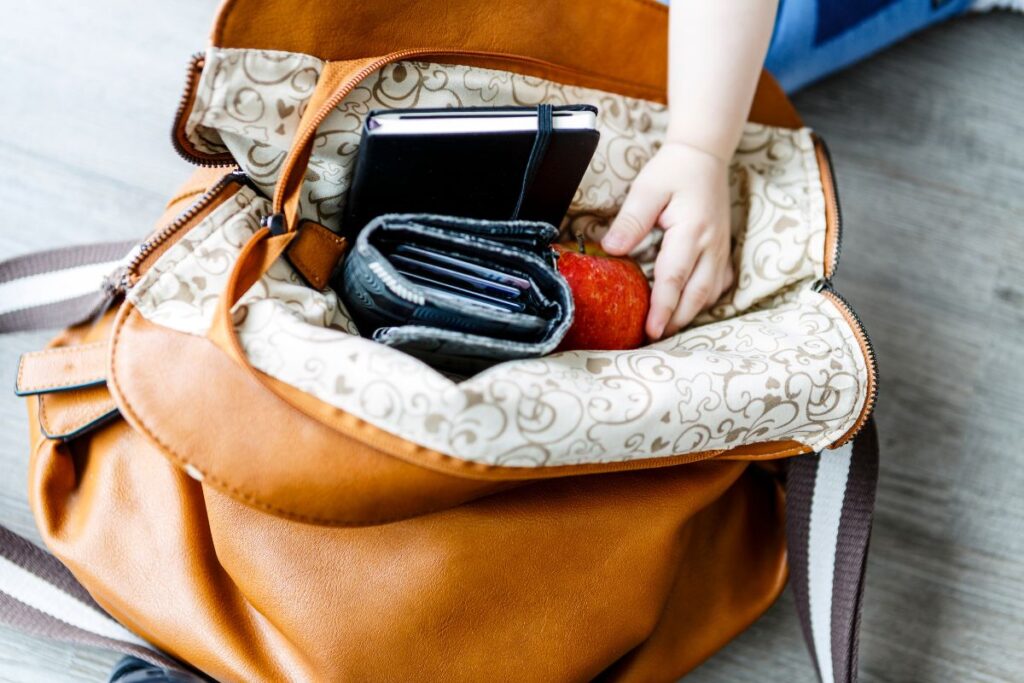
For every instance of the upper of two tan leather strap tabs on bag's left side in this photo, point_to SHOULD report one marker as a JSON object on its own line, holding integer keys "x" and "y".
{"x": 62, "y": 369}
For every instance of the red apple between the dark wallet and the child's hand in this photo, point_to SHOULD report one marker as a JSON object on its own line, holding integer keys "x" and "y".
{"x": 612, "y": 297}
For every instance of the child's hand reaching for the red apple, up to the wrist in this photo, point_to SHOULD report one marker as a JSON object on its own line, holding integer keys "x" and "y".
{"x": 686, "y": 192}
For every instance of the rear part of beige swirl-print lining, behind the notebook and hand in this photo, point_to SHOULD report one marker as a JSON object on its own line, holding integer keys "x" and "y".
{"x": 249, "y": 103}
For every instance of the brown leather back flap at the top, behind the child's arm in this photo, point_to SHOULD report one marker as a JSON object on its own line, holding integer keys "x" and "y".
{"x": 616, "y": 46}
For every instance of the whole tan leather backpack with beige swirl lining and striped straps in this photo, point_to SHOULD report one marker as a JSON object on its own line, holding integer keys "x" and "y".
{"x": 252, "y": 490}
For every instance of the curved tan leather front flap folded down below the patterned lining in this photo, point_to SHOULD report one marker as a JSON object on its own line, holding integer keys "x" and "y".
{"x": 277, "y": 449}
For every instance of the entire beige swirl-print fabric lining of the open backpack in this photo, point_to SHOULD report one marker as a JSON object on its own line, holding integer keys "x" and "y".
{"x": 775, "y": 360}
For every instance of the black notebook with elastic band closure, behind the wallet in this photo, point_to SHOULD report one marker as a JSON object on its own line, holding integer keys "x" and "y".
{"x": 496, "y": 163}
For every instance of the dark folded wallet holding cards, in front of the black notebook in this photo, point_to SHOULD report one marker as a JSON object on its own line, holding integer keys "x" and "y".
{"x": 457, "y": 334}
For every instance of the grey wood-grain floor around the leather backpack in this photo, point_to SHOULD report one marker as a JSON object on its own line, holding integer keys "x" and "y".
{"x": 929, "y": 147}
